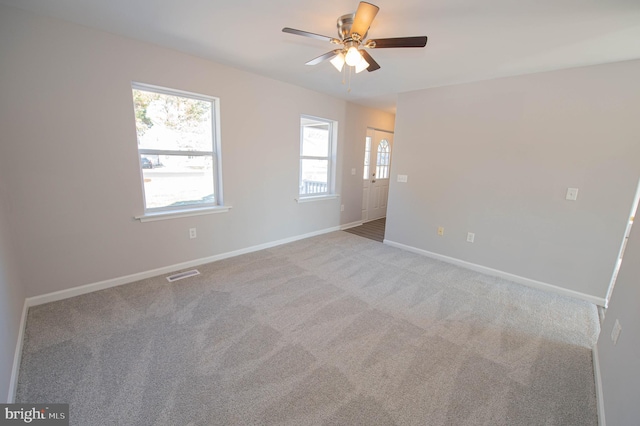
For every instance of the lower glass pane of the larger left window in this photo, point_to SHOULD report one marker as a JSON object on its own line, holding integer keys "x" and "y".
{"x": 177, "y": 180}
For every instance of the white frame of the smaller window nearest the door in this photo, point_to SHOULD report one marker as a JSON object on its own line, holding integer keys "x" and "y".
{"x": 331, "y": 159}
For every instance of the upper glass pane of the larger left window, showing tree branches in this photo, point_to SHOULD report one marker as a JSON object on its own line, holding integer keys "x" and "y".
{"x": 171, "y": 122}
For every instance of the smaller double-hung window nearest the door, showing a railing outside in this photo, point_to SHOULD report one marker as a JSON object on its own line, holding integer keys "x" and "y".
{"x": 316, "y": 156}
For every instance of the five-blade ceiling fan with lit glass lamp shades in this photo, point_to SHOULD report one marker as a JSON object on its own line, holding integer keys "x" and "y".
{"x": 352, "y": 32}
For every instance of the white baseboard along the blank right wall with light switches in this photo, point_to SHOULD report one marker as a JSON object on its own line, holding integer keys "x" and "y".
{"x": 600, "y": 301}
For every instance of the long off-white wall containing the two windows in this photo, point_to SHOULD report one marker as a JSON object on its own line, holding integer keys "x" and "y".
{"x": 68, "y": 128}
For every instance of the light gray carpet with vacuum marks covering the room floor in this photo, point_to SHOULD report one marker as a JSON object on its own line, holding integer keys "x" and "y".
{"x": 331, "y": 330}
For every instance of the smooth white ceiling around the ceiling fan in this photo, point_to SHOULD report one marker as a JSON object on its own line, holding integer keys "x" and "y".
{"x": 469, "y": 40}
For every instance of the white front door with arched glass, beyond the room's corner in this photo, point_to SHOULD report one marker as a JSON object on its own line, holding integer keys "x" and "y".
{"x": 377, "y": 169}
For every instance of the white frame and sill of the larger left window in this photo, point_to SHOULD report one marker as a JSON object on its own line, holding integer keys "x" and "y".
{"x": 168, "y": 212}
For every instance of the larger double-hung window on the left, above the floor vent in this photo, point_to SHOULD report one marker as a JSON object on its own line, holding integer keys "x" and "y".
{"x": 178, "y": 148}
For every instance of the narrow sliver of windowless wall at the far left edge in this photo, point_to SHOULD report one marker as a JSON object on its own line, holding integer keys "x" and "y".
{"x": 12, "y": 294}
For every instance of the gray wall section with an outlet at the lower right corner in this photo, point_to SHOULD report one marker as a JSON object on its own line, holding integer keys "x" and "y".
{"x": 620, "y": 364}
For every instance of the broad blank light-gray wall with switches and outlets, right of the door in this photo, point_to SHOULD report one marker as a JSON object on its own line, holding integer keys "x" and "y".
{"x": 496, "y": 158}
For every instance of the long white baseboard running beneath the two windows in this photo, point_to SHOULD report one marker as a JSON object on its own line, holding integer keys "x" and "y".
{"x": 114, "y": 282}
